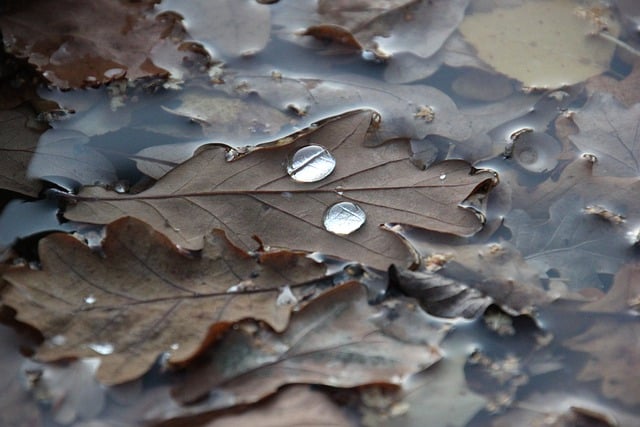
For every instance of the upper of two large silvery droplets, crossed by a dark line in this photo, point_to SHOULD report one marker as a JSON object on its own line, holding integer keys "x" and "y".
{"x": 311, "y": 164}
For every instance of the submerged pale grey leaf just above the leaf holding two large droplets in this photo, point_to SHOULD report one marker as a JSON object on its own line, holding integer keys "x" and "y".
{"x": 398, "y": 105}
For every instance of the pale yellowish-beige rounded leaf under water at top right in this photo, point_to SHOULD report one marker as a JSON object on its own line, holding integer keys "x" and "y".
{"x": 542, "y": 44}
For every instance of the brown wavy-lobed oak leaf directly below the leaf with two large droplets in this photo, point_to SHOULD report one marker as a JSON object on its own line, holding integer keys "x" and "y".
{"x": 143, "y": 298}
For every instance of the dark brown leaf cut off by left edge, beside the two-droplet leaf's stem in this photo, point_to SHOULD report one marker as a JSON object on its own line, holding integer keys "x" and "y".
{"x": 17, "y": 144}
